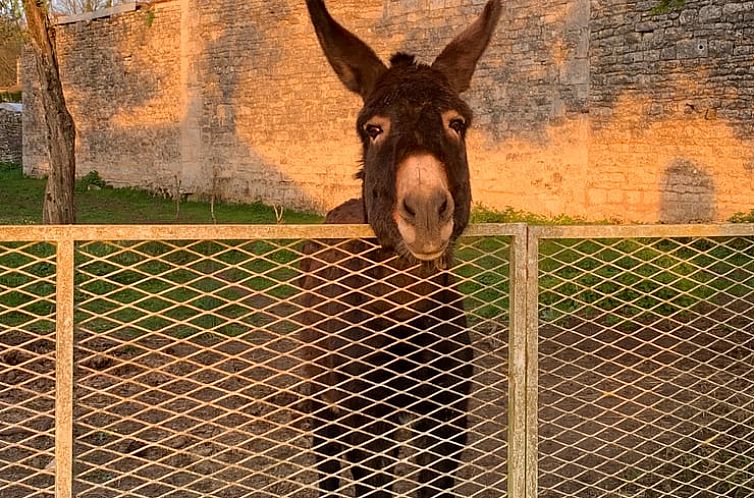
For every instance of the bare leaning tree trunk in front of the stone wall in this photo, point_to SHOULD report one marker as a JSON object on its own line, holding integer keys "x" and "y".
{"x": 61, "y": 132}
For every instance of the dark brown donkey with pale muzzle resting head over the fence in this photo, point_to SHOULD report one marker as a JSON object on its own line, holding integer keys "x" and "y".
{"x": 387, "y": 349}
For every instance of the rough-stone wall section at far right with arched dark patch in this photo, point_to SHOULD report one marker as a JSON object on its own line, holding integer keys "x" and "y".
{"x": 672, "y": 110}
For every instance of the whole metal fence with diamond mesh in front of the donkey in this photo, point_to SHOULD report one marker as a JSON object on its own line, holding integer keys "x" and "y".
{"x": 193, "y": 358}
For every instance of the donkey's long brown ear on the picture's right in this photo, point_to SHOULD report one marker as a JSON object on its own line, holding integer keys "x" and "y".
{"x": 458, "y": 61}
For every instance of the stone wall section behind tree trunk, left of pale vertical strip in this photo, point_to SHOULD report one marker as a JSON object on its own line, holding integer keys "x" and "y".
{"x": 121, "y": 78}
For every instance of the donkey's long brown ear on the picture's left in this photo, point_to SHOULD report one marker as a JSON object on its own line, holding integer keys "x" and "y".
{"x": 357, "y": 66}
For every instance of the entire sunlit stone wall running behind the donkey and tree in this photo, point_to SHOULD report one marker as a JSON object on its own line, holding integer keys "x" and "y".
{"x": 587, "y": 108}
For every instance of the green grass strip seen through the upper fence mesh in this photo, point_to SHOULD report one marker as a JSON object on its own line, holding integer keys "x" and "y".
{"x": 214, "y": 284}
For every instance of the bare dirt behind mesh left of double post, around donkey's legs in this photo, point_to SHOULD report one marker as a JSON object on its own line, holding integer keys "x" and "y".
{"x": 202, "y": 417}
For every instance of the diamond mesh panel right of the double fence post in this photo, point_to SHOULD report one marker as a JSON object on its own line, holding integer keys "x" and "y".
{"x": 646, "y": 367}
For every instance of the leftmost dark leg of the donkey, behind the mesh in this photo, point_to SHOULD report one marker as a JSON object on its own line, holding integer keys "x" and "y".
{"x": 329, "y": 446}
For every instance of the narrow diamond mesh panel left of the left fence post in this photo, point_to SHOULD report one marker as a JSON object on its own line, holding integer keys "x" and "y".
{"x": 27, "y": 369}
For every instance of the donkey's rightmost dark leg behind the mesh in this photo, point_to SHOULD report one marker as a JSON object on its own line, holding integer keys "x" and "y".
{"x": 443, "y": 440}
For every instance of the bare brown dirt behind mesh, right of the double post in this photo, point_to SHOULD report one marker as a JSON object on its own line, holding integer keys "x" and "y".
{"x": 659, "y": 407}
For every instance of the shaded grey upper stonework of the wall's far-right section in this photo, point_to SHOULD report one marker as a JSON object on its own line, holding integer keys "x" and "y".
{"x": 716, "y": 63}
